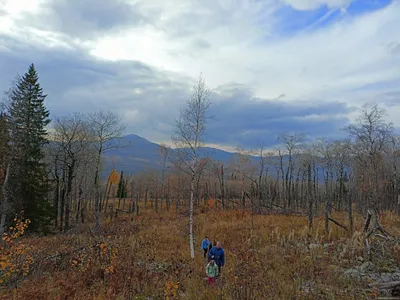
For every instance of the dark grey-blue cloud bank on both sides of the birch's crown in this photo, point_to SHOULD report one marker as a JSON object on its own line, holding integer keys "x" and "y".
{"x": 148, "y": 100}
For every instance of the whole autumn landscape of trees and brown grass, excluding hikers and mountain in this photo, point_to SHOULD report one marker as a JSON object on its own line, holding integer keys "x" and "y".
{"x": 308, "y": 219}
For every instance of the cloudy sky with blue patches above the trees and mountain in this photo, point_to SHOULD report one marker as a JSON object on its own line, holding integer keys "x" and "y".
{"x": 273, "y": 66}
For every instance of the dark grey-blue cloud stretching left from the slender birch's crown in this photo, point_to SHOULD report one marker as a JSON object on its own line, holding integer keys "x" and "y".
{"x": 146, "y": 98}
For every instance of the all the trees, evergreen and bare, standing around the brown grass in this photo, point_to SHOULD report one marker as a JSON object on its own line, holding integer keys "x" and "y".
{"x": 52, "y": 174}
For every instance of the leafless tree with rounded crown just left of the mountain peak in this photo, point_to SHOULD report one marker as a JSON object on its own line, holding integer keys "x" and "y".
{"x": 107, "y": 130}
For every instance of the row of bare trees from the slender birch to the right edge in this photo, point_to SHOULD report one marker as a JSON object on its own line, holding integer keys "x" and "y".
{"x": 297, "y": 176}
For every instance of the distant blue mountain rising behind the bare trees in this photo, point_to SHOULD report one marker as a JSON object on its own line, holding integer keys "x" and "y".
{"x": 137, "y": 154}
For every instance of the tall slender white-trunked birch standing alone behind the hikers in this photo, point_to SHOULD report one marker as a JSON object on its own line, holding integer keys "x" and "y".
{"x": 189, "y": 134}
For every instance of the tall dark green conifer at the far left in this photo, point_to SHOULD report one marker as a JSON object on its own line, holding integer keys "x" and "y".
{"x": 29, "y": 117}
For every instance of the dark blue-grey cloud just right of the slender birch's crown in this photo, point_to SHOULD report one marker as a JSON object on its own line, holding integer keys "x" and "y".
{"x": 249, "y": 122}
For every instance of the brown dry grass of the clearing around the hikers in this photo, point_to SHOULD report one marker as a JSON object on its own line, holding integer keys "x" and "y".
{"x": 274, "y": 260}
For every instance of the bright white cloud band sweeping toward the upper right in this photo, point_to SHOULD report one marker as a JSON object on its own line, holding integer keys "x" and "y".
{"x": 314, "y": 64}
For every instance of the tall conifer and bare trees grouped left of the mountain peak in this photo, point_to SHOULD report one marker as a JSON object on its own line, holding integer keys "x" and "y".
{"x": 51, "y": 170}
